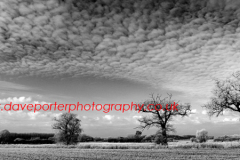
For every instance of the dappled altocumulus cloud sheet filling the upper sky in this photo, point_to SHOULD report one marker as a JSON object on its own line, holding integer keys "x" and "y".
{"x": 179, "y": 45}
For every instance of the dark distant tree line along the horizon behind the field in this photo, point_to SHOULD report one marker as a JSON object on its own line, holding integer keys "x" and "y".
{"x": 49, "y": 138}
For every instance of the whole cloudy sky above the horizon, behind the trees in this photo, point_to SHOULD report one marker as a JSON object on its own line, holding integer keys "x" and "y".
{"x": 120, "y": 51}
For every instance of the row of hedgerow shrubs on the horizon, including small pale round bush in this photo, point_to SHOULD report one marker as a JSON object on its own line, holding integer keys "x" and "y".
{"x": 48, "y": 138}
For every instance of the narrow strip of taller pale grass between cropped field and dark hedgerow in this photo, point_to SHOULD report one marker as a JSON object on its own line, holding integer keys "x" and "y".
{"x": 107, "y": 145}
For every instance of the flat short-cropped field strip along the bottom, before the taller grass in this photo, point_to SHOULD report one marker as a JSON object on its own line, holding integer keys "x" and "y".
{"x": 124, "y": 154}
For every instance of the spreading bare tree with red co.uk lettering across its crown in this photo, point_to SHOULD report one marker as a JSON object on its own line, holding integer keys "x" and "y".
{"x": 162, "y": 111}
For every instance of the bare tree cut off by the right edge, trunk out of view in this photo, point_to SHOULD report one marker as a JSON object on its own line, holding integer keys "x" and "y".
{"x": 226, "y": 96}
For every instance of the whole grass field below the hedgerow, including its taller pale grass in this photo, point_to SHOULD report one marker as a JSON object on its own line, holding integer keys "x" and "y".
{"x": 139, "y": 151}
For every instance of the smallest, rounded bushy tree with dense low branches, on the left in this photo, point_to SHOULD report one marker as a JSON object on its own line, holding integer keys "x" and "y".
{"x": 68, "y": 126}
